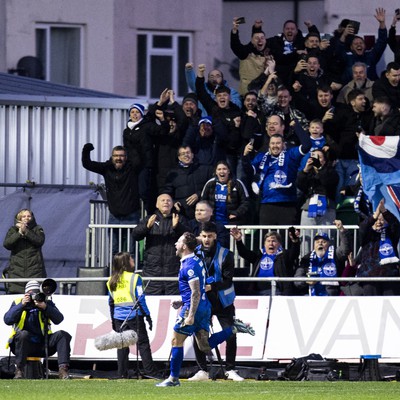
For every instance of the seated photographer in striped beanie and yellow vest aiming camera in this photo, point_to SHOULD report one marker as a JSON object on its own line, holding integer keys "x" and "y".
{"x": 28, "y": 316}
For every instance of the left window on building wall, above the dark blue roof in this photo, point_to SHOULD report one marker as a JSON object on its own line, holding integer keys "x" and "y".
{"x": 59, "y": 48}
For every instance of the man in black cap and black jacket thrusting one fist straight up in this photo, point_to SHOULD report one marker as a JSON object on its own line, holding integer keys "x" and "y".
{"x": 224, "y": 110}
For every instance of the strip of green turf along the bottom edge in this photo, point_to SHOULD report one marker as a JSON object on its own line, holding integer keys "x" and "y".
{"x": 220, "y": 389}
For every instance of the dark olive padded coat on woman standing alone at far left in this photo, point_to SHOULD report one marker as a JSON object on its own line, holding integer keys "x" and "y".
{"x": 26, "y": 259}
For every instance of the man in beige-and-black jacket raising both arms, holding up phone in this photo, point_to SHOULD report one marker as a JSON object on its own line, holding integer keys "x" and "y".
{"x": 252, "y": 56}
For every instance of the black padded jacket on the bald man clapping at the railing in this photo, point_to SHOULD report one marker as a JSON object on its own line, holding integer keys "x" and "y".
{"x": 160, "y": 257}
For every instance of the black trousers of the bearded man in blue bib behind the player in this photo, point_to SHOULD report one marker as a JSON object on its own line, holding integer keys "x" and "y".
{"x": 225, "y": 318}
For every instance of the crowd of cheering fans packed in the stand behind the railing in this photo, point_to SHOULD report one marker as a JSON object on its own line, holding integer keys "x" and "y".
{"x": 282, "y": 150}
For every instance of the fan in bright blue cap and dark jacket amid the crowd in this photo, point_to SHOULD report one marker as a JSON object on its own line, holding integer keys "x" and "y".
{"x": 207, "y": 141}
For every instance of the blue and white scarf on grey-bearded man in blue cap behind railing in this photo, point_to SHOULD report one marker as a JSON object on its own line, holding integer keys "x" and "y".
{"x": 324, "y": 267}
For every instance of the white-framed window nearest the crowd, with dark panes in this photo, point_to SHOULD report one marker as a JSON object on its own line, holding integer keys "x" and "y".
{"x": 161, "y": 59}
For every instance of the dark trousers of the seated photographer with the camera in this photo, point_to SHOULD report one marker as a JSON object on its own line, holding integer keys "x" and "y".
{"x": 23, "y": 347}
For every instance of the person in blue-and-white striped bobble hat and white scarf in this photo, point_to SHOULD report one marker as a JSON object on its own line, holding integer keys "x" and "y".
{"x": 138, "y": 139}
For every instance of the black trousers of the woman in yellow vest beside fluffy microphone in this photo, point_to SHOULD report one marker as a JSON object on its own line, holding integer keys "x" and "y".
{"x": 138, "y": 325}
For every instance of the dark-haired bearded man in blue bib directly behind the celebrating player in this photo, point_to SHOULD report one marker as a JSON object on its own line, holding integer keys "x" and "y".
{"x": 219, "y": 266}
